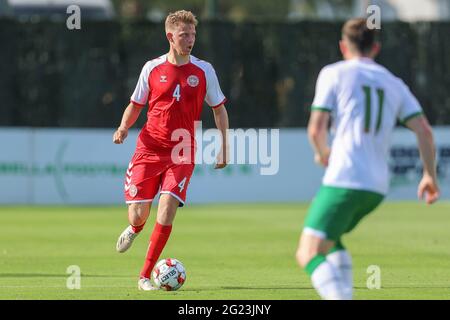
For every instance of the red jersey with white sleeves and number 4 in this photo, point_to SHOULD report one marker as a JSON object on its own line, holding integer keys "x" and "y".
{"x": 175, "y": 96}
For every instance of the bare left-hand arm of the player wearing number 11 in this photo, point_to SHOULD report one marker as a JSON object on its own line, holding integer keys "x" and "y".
{"x": 318, "y": 136}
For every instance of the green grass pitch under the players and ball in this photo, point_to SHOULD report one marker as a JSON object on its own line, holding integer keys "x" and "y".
{"x": 229, "y": 251}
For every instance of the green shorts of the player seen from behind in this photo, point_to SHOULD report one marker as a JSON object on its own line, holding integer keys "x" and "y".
{"x": 336, "y": 211}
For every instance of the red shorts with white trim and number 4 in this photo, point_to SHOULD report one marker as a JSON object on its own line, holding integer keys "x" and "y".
{"x": 146, "y": 175}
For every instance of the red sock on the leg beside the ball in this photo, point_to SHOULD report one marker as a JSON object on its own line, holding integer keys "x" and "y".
{"x": 158, "y": 240}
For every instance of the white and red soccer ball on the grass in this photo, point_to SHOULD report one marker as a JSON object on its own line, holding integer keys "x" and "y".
{"x": 169, "y": 274}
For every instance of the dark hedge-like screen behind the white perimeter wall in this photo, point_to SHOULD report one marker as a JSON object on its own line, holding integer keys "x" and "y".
{"x": 60, "y": 78}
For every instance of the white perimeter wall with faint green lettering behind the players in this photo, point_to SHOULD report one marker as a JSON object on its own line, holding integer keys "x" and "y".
{"x": 83, "y": 166}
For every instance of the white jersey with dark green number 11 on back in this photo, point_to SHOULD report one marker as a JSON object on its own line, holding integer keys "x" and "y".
{"x": 365, "y": 100}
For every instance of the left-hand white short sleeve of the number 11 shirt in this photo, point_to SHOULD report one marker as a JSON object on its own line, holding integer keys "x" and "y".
{"x": 325, "y": 95}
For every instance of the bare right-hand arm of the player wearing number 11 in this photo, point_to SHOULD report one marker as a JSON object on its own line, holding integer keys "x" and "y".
{"x": 428, "y": 186}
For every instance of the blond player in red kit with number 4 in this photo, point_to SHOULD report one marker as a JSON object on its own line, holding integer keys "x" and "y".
{"x": 175, "y": 86}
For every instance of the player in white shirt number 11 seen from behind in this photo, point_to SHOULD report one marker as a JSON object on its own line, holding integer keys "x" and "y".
{"x": 366, "y": 100}
